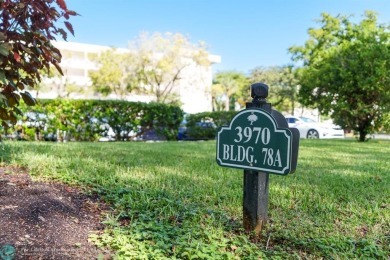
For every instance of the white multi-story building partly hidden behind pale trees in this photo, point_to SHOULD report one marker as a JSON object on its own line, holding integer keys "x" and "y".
{"x": 193, "y": 89}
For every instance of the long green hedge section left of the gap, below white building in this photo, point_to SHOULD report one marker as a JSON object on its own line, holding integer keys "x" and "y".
{"x": 88, "y": 120}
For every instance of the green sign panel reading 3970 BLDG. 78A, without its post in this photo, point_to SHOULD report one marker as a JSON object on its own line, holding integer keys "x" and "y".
{"x": 253, "y": 141}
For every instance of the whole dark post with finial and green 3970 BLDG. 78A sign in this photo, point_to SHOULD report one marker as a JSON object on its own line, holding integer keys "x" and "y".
{"x": 259, "y": 141}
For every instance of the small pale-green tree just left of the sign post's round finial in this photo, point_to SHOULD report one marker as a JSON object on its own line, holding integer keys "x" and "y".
{"x": 227, "y": 86}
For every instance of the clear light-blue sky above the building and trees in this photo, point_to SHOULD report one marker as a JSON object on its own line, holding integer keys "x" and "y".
{"x": 246, "y": 33}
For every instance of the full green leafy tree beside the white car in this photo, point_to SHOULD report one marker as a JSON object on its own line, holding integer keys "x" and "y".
{"x": 345, "y": 71}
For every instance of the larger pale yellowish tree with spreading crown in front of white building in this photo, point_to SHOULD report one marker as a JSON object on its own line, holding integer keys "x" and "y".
{"x": 161, "y": 60}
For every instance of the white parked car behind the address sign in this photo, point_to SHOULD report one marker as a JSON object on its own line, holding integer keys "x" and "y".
{"x": 308, "y": 128}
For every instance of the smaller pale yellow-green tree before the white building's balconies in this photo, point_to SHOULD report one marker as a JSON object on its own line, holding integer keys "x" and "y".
{"x": 116, "y": 73}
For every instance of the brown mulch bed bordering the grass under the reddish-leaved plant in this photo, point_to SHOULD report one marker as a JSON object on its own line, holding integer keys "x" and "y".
{"x": 40, "y": 220}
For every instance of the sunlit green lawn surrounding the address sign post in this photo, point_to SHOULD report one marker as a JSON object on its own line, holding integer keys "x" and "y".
{"x": 171, "y": 200}
